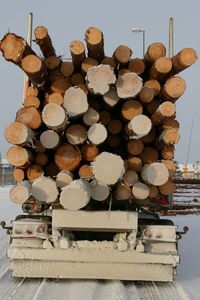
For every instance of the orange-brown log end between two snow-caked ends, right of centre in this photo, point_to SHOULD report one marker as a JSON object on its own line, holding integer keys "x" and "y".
{"x": 131, "y": 109}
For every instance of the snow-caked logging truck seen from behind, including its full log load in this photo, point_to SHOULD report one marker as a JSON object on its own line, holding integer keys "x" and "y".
{"x": 93, "y": 160}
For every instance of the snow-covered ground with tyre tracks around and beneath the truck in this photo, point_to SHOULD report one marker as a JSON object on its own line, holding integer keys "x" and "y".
{"x": 186, "y": 286}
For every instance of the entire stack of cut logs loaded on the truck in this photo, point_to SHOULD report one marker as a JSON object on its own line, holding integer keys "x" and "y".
{"x": 94, "y": 128}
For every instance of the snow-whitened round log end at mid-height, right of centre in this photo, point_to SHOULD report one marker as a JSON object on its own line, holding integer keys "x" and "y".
{"x": 139, "y": 126}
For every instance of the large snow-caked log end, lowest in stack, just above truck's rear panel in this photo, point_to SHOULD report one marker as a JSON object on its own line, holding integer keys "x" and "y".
{"x": 75, "y": 195}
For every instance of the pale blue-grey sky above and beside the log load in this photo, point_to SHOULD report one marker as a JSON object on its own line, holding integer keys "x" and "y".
{"x": 68, "y": 20}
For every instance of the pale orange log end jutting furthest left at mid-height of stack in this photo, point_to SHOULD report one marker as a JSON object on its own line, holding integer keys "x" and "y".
{"x": 19, "y": 134}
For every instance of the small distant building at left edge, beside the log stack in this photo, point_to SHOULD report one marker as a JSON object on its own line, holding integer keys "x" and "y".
{"x": 6, "y": 170}
